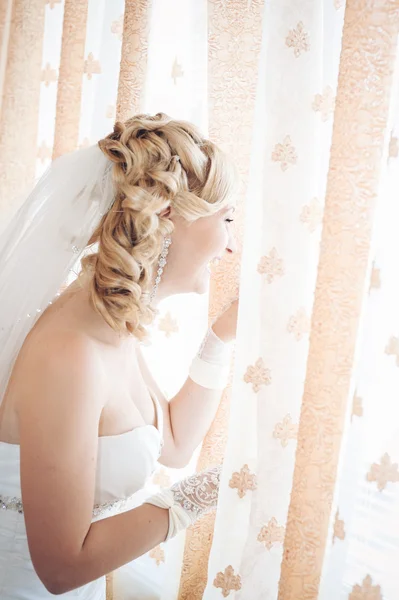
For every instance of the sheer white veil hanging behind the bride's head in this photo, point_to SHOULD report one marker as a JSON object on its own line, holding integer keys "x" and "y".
{"x": 44, "y": 240}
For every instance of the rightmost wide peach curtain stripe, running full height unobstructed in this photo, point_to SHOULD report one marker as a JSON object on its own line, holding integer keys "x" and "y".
{"x": 360, "y": 135}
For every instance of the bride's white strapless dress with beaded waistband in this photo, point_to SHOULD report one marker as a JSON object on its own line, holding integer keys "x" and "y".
{"x": 125, "y": 463}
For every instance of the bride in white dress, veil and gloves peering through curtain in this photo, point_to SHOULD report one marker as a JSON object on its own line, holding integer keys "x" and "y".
{"x": 82, "y": 422}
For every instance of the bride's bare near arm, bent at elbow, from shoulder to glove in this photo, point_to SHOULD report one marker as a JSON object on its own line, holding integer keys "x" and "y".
{"x": 59, "y": 407}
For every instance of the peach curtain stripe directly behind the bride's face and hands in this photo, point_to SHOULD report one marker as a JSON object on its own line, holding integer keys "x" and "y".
{"x": 234, "y": 36}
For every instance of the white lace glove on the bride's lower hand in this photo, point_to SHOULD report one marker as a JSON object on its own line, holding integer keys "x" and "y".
{"x": 189, "y": 499}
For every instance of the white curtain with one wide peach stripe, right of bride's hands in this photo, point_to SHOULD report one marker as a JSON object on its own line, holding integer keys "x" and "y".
{"x": 270, "y": 540}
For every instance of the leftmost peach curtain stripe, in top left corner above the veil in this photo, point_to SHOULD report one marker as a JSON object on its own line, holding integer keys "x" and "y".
{"x": 23, "y": 24}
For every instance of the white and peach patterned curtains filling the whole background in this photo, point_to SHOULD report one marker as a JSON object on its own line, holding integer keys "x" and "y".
{"x": 305, "y": 96}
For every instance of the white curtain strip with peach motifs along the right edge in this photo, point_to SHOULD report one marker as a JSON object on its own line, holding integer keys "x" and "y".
{"x": 363, "y": 539}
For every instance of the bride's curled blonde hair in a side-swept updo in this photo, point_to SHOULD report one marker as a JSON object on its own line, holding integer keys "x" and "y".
{"x": 158, "y": 162}
